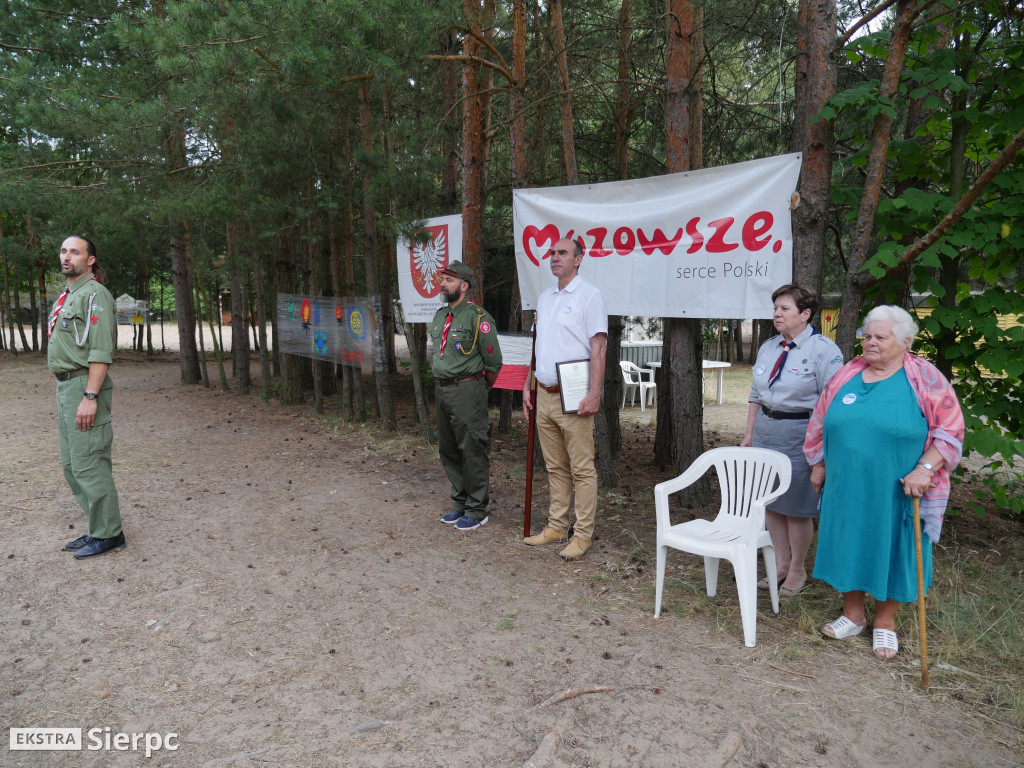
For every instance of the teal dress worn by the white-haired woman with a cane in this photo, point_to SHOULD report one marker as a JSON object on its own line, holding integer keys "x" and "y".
{"x": 874, "y": 436}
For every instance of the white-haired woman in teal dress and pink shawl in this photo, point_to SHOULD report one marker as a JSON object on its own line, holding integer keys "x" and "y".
{"x": 887, "y": 429}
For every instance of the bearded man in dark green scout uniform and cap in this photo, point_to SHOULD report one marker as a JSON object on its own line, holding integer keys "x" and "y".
{"x": 466, "y": 363}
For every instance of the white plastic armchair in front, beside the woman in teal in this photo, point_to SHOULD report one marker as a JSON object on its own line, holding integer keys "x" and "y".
{"x": 750, "y": 480}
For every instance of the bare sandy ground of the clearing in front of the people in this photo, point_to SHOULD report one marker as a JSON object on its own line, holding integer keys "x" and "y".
{"x": 288, "y": 598}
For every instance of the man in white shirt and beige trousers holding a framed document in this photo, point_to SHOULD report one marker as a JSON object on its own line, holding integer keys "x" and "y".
{"x": 572, "y": 325}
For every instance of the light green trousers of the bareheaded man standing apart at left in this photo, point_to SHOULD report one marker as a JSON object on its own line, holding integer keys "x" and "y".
{"x": 87, "y": 456}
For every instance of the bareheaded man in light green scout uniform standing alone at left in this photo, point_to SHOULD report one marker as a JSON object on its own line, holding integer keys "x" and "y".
{"x": 83, "y": 334}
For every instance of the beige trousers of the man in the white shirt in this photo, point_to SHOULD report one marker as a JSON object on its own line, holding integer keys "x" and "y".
{"x": 568, "y": 442}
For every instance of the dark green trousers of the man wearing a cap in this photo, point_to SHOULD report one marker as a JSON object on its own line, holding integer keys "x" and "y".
{"x": 463, "y": 443}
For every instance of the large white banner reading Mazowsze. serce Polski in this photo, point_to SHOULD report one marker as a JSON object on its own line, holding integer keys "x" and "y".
{"x": 714, "y": 243}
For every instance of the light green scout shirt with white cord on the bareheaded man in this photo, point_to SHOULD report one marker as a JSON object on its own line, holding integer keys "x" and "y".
{"x": 86, "y": 328}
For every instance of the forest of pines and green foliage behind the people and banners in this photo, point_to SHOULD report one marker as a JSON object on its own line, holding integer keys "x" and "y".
{"x": 284, "y": 147}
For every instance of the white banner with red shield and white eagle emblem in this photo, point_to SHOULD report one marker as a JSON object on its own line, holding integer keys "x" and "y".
{"x": 420, "y": 266}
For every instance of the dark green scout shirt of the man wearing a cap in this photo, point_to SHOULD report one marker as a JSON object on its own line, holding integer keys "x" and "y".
{"x": 472, "y": 346}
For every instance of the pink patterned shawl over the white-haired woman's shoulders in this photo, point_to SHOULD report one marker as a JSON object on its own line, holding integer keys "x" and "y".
{"x": 946, "y": 429}
